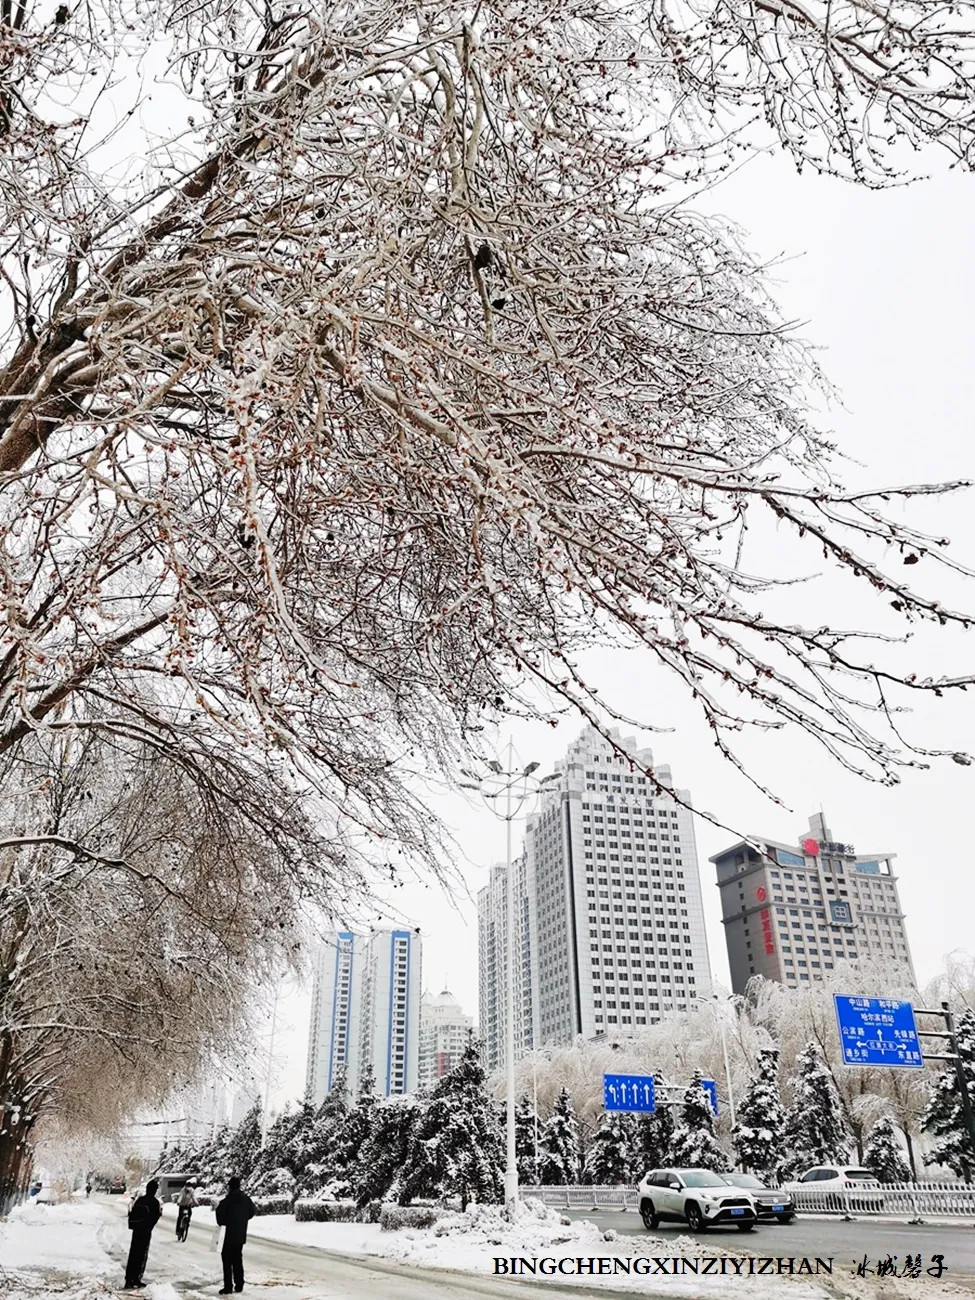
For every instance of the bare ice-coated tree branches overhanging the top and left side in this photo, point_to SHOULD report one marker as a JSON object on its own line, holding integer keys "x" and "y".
{"x": 358, "y": 372}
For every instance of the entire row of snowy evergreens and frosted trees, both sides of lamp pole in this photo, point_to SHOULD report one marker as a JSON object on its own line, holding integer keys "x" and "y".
{"x": 794, "y": 1111}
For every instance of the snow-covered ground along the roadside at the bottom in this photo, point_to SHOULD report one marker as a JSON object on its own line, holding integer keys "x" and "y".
{"x": 62, "y": 1253}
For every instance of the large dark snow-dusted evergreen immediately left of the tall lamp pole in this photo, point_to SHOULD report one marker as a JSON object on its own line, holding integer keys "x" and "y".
{"x": 457, "y": 1149}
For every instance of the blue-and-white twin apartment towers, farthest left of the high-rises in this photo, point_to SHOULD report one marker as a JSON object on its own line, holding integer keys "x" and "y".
{"x": 366, "y": 1012}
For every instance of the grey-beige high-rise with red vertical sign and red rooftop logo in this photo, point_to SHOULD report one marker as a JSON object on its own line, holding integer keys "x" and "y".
{"x": 791, "y": 912}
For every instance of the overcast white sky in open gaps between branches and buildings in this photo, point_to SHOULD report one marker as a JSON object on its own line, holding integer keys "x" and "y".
{"x": 885, "y": 283}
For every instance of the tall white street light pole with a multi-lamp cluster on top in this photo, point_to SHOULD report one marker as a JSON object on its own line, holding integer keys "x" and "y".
{"x": 508, "y": 792}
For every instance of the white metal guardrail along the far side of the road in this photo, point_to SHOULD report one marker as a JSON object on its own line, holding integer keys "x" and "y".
{"x": 913, "y": 1201}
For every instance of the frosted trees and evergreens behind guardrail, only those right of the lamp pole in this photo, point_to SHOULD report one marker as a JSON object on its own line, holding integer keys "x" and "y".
{"x": 796, "y": 1104}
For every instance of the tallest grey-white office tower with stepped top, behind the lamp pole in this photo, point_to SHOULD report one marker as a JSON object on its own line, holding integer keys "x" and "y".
{"x": 609, "y": 903}
